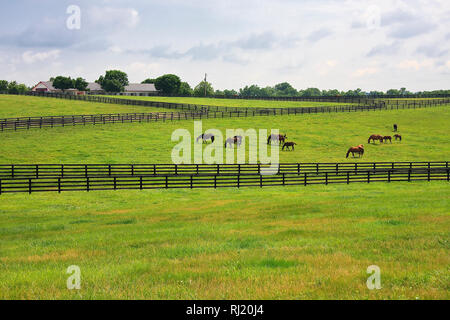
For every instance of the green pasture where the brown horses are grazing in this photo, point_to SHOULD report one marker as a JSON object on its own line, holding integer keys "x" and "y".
{"x": 320, "y": 138}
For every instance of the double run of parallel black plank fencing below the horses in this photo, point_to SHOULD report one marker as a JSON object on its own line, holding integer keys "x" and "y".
{"x": 87, "y": 177}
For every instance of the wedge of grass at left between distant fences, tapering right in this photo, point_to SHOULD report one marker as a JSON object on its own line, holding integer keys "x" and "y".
{"x": 12, "y": 106}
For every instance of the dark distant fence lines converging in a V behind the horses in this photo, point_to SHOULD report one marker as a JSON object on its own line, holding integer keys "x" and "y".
{"x": 189, "y": 111}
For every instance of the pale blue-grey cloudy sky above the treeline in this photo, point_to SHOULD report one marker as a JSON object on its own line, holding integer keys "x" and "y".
{"x": 373, "y": 45}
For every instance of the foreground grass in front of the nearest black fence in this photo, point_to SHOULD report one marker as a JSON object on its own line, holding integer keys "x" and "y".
{"x": 310, "y": 242}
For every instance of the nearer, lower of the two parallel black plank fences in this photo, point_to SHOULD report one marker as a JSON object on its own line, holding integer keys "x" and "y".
{"x": 60, "y": 184}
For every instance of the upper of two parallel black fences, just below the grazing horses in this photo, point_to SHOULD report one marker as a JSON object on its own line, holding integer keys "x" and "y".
{"x": 36, "y": 171}
